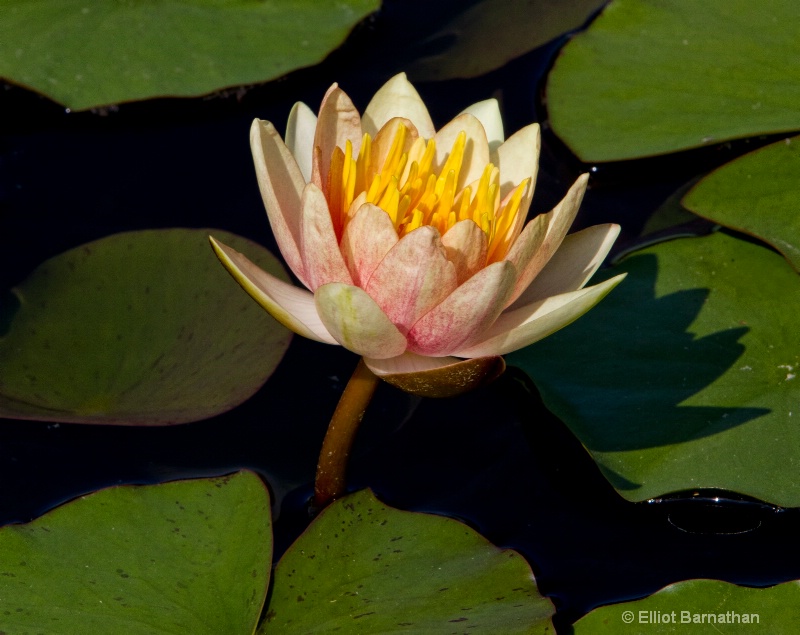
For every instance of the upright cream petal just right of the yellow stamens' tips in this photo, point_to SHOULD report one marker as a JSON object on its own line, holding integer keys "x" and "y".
{"x": 518, "y": 159}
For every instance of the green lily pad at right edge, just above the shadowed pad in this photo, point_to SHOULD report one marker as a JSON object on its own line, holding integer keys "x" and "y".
{"x": 757, "y": 194}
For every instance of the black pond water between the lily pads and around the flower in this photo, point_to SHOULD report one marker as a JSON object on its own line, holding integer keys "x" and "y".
{"x": 494, "y": 458}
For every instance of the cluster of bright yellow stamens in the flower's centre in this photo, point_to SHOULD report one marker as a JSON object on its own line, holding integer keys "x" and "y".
{"x": 413, "y": 193}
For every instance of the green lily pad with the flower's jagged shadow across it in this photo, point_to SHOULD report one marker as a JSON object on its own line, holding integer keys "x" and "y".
{"x": 687, "y": 377}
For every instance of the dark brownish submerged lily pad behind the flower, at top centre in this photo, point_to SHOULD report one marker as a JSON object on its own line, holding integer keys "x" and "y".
{"x": 490, "y": 33}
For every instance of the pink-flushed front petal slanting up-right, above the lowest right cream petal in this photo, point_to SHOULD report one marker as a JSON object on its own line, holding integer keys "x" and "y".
{"x": 465, "y": 314}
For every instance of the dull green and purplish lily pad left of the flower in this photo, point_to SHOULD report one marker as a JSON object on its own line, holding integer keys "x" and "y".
{"x": 140, "y": 328}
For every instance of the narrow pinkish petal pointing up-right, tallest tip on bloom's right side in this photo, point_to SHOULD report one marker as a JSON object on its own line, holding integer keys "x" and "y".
{"x": 558, "y": 220}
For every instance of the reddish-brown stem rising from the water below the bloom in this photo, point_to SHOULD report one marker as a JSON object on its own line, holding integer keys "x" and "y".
{"x": 330, "y": 483}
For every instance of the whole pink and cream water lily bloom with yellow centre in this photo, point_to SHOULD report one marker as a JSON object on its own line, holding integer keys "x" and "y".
{"x": 411, "y": 242}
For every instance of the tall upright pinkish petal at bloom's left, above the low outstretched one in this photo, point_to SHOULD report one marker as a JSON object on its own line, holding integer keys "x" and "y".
{"x": 281, "y": 184}
